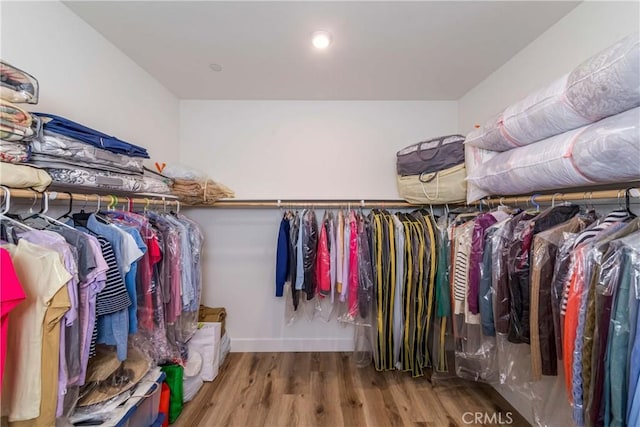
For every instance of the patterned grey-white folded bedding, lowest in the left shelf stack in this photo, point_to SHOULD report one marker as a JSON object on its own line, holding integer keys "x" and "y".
{"x": 94, "y": 178}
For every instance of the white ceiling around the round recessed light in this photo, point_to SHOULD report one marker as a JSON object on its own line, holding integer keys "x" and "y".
{"x": 382, "y": 50}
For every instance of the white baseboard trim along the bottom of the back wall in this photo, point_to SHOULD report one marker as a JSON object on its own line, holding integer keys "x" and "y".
{"x": 260, "y": 345}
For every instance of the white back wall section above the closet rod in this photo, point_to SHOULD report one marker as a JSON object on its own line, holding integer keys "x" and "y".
{"x": 307, "y": 149}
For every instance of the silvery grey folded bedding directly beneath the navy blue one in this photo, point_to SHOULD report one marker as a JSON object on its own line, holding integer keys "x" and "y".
{"x": 52, "y": 146}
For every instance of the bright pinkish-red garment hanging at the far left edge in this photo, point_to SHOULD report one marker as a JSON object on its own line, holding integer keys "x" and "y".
{"x": 11, "y": 294}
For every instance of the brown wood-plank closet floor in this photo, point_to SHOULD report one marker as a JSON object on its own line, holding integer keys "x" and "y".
{"x": 327, "y": 389}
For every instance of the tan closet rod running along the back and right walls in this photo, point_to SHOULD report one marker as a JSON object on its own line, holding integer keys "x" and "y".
{"x": 383, "y": 204}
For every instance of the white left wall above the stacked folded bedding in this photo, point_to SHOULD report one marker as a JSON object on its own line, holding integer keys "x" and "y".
{"x": 85, "y": 78}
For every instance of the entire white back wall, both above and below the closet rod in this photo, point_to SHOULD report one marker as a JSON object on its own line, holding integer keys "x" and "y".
{"x": 289, "y": 149}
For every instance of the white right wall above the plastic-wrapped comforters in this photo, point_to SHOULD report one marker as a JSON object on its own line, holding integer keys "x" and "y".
{"x": 589, "y": 28}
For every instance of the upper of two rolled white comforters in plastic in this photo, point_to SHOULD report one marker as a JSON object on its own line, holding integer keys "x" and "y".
{"x": 606, "y": 84}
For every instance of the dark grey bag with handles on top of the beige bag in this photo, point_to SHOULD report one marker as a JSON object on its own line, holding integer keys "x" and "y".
{"x": 431, "y": 156}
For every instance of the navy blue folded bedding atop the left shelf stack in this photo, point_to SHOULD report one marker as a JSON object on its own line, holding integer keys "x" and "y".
{"x": 66, "y": 127}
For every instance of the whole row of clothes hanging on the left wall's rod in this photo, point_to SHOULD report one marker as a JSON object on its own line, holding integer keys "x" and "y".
{"x": 79, "y": 285}
